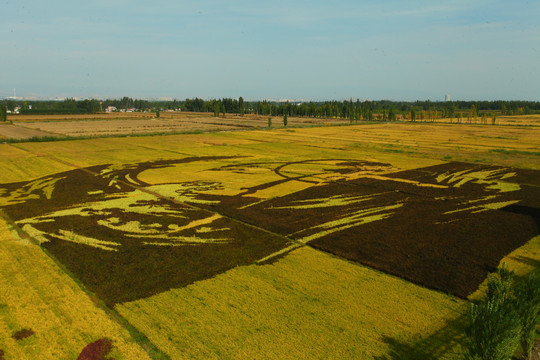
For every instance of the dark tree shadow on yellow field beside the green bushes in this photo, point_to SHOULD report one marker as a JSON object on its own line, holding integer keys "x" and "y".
{"x": 443, "y": 343}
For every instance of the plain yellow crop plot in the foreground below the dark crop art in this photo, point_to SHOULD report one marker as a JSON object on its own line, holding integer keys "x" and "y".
{"x": 307, "y": 305}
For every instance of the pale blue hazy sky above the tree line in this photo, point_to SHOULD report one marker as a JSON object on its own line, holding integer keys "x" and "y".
{"x": 293, "y": 49}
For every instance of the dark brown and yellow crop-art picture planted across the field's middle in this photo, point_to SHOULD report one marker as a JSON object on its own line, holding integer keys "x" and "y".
{"x": 131, "y": 231}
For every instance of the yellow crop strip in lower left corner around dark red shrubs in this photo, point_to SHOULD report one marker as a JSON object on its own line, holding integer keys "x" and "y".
{"x": 36, "y": 294}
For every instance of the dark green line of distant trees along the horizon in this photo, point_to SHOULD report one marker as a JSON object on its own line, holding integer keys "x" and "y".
{"x": 354, "y": 110}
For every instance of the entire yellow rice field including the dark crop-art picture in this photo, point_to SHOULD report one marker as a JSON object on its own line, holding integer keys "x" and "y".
{"x": 347, "y": 242}
